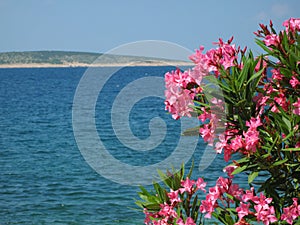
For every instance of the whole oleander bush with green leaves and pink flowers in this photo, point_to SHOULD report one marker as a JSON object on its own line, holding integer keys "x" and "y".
{"x": 261, "y": 100}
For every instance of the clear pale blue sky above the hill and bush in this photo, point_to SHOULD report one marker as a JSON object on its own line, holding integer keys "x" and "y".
{"x": 99, "y": 25}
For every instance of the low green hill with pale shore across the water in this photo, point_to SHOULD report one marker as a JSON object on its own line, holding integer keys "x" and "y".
{"x": 61, "y": 58}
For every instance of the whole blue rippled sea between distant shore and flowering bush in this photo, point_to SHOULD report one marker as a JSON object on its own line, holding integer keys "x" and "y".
{"x": 47, "y": 176}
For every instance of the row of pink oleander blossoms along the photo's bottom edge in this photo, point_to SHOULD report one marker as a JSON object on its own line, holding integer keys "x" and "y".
{"x": 224, "y": 194}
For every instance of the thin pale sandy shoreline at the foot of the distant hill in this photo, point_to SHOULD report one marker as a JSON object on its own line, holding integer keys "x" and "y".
{"x": 129, "y": 64}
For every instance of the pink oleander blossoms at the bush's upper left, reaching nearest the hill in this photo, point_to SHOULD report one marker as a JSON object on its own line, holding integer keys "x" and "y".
{"x": 179, "y": 94}
